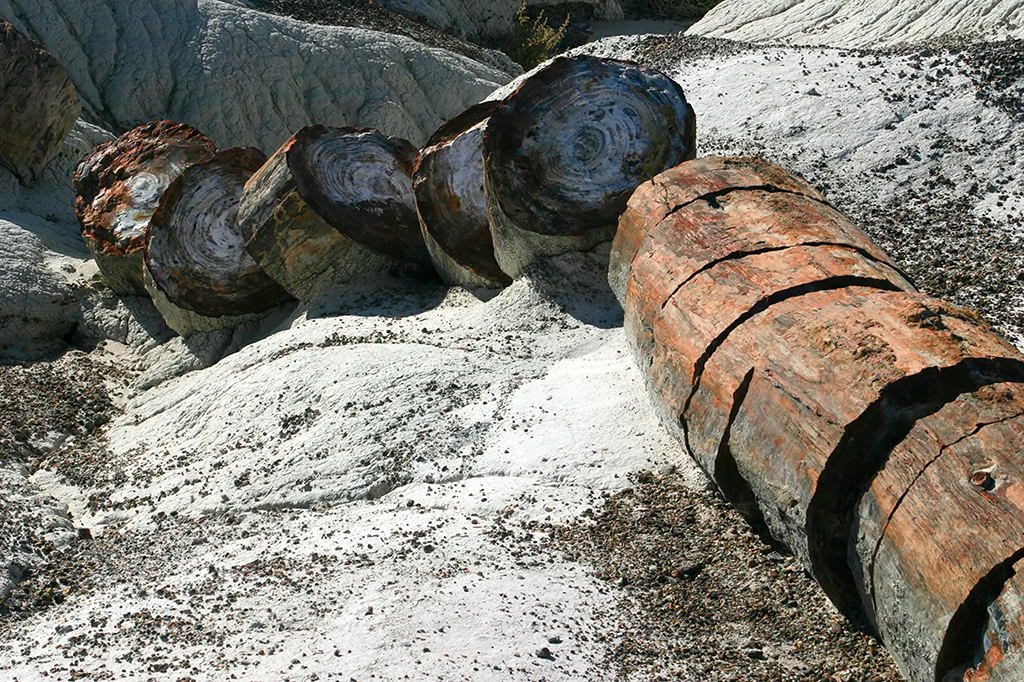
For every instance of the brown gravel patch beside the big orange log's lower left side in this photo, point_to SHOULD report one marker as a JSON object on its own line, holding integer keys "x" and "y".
{"x": 705, "y": 599}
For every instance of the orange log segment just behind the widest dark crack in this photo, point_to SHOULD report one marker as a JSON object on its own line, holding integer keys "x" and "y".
{"x": 827, "y": 368}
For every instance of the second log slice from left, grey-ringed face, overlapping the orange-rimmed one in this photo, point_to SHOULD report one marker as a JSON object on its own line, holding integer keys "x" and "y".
{"x": 197, "y": 270}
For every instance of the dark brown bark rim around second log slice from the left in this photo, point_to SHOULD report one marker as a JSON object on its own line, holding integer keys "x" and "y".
{"x": 209, "y": 299}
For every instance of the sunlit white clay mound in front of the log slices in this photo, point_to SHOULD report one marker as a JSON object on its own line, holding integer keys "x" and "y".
{"x": 377, "y": 450}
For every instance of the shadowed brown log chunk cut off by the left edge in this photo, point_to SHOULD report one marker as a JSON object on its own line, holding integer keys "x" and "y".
{"x": 38, "y": 105}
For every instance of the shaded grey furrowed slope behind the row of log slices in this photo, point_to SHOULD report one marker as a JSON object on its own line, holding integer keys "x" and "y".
{"x": 246, "y": 78}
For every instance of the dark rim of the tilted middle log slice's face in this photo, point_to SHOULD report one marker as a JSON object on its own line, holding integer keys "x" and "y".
{"x": 391, "y": 228}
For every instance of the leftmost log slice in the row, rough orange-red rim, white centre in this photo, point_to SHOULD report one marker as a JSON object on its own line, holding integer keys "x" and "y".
{"x": 118, "y": 188}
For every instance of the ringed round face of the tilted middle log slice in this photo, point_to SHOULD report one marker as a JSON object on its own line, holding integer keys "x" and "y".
{"x": 361, "y": 183}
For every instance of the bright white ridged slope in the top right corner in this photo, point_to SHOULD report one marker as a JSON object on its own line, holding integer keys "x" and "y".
{"x": 861, "y": 24}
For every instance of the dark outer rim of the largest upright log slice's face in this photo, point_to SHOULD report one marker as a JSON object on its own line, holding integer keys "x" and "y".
{"x": 542, "y": 207}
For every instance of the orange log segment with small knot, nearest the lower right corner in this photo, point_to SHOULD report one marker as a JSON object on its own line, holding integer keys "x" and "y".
{"x": 914, "y": 527}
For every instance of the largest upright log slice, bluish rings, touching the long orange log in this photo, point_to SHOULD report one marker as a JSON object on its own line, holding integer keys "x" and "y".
{"x": 564, "y": 153}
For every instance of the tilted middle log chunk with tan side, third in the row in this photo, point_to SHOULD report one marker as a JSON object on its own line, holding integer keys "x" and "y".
{"x": 329, "y": 204}
